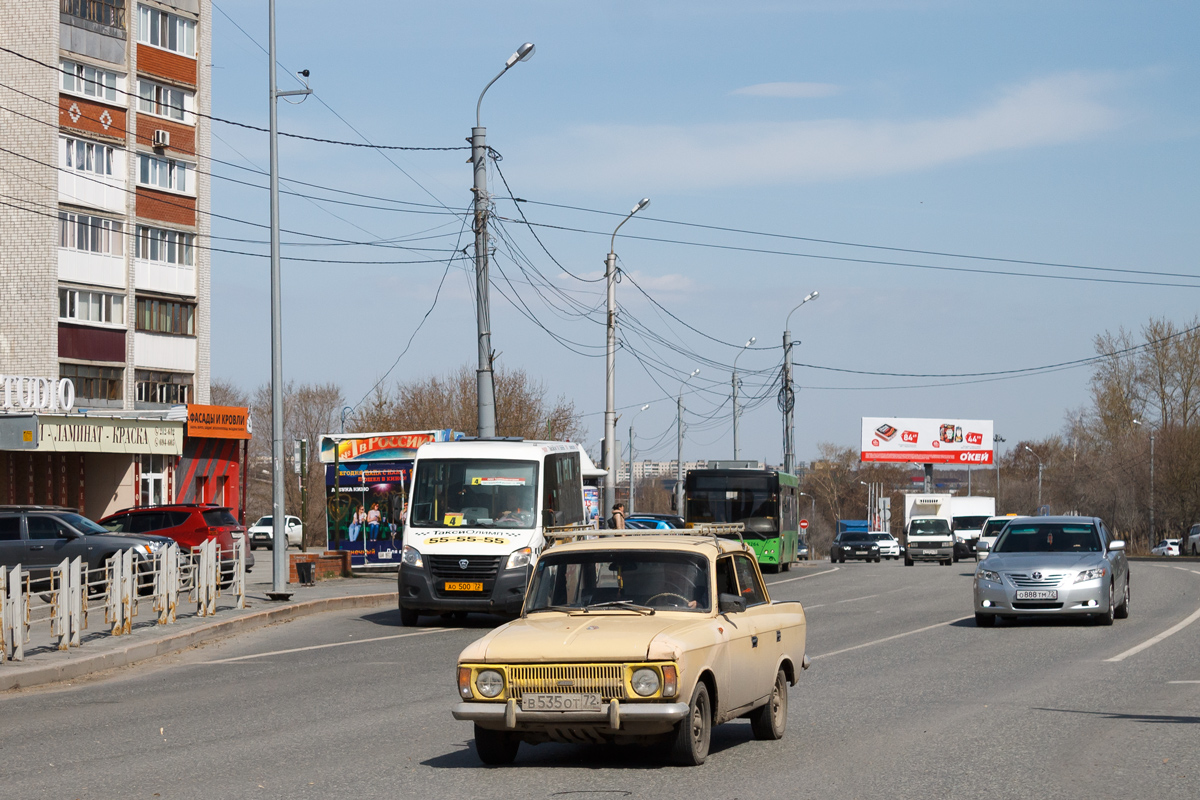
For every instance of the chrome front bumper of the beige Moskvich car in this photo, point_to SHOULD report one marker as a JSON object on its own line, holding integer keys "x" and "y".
{"x": 614, "y": 718}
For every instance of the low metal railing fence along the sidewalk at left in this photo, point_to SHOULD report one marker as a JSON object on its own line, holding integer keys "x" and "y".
{"x": 73, "y": 593}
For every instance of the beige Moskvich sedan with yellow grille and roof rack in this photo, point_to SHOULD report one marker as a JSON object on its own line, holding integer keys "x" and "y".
{"x": 635, "y": 640}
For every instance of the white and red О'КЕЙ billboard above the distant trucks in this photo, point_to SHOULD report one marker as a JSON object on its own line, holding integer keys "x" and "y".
{"x": 935, "y": 441}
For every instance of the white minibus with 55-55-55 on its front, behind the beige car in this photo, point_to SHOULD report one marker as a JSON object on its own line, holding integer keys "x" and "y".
{"x": 477, "y": 518}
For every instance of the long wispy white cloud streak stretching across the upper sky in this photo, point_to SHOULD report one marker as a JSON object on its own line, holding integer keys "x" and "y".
{"x": 1053, "y": 111}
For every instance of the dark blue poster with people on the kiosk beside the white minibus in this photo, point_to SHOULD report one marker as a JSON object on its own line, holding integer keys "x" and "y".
{"x": 367, "y": 507}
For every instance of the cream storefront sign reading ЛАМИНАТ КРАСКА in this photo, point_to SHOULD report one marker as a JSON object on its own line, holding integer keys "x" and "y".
{"x": 110, "y": 436}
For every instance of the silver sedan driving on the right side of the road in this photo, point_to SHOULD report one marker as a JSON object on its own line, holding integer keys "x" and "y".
{"x": 1053, "y": 566}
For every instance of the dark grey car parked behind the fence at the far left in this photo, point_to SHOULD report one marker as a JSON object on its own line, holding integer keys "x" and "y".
{"x": 39, "y": 538}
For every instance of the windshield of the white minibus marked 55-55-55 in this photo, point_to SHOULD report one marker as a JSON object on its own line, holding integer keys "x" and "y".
{"x": 477, "y": 494}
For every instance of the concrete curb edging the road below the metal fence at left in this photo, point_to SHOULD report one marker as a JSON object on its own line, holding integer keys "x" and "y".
{"x": 25, "y": 678}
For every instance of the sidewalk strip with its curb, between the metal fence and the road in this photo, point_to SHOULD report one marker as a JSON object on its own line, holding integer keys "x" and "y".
{"x": 100, "y": 651}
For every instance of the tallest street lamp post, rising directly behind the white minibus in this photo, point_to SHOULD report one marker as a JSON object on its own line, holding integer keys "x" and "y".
{"x": 485, "y": 388}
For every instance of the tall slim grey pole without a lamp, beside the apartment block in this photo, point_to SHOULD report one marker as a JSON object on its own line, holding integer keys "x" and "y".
{"x": 279, "y": 520}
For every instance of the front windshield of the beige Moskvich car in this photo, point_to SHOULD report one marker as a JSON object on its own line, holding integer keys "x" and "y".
{"x": 646, "y": 579}
